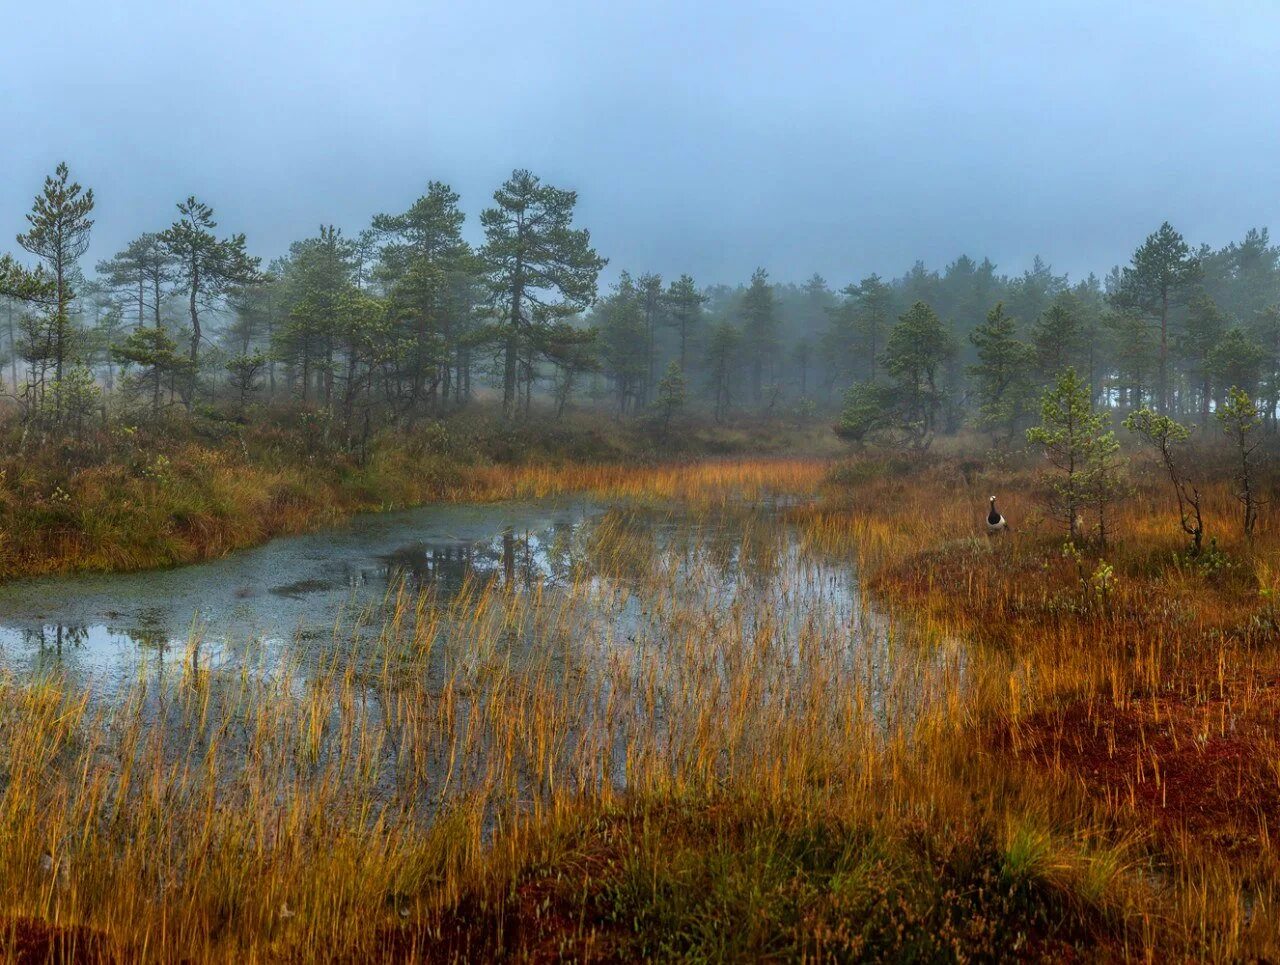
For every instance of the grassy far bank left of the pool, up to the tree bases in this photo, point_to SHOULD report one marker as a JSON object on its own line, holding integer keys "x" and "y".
{"x": 138, "y": 500}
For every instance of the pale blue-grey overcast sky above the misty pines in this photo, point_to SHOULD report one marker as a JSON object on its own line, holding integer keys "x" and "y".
{"x": 705, "y": 138}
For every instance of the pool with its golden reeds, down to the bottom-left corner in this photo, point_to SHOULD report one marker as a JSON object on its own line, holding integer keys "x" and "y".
{"x": 350, "y": 728}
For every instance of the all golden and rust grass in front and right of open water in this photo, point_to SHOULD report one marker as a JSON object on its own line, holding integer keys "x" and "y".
{"x": 1017, "y": 763}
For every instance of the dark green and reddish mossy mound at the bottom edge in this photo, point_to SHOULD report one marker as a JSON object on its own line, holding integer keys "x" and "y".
{"x": 715, "y": 882}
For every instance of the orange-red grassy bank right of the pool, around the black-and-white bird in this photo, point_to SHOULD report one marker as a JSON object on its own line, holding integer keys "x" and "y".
{"x": 1148, "y": 698}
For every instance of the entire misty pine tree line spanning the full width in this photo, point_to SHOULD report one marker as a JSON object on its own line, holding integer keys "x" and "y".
{"x": 406, "y": 321}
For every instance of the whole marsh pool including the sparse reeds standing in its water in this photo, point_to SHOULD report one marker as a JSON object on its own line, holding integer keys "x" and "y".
{"x": 481, "y": 653}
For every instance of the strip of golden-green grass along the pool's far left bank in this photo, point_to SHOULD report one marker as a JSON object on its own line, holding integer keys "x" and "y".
{"x": 200, "y": 504}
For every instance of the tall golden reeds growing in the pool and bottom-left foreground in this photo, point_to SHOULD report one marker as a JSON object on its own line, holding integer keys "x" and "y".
{"x": 226, "y": 815}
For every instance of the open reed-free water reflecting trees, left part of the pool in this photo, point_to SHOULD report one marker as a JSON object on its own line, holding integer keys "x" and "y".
{"x": 291, "y": 593}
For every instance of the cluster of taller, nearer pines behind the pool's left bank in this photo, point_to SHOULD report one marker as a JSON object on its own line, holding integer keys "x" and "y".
{"x": 392, "y": 324}
